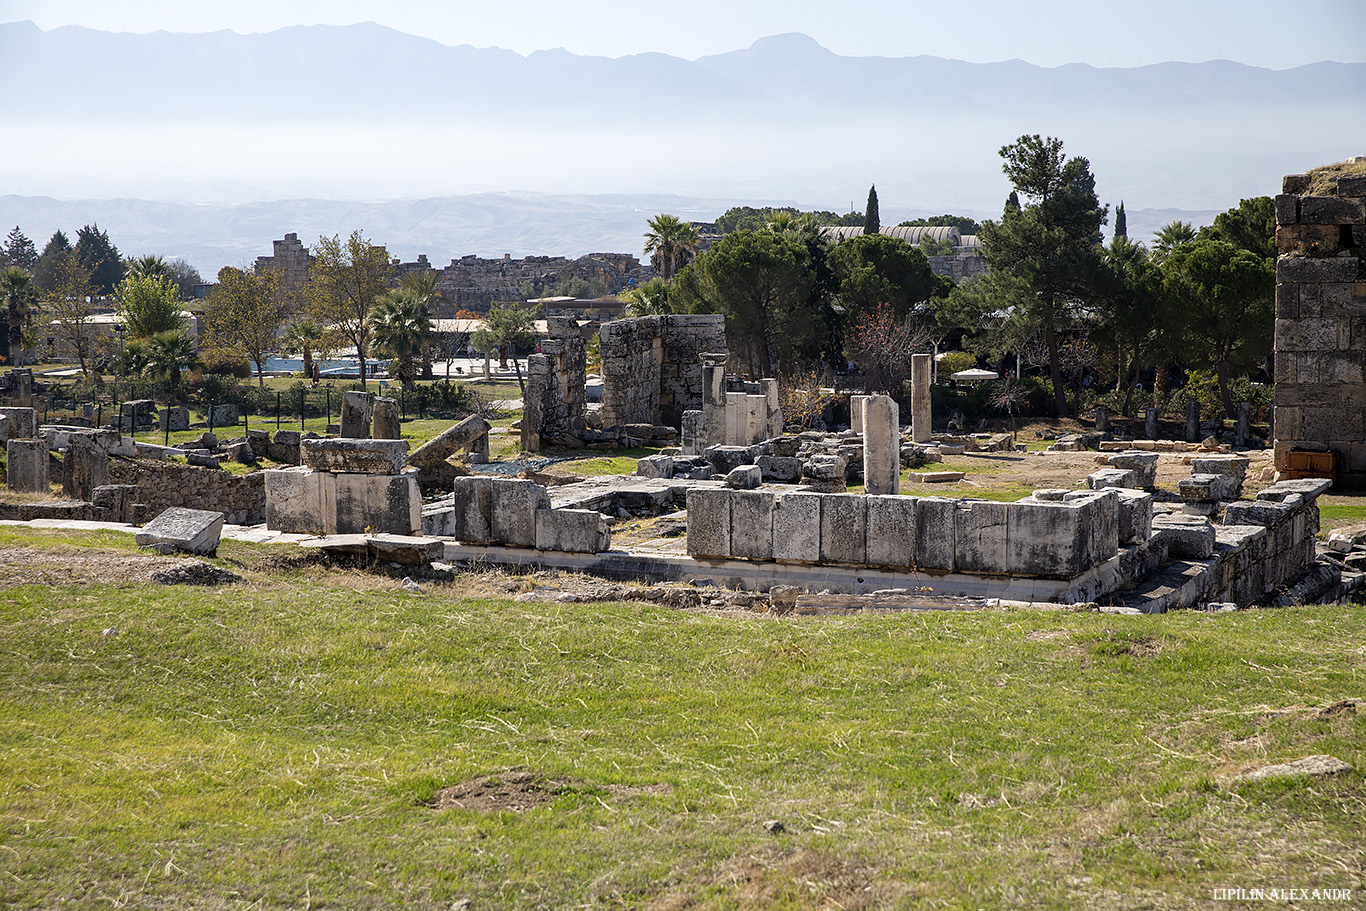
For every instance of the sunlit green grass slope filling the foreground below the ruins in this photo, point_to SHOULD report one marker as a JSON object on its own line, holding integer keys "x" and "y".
{"x": 281, "y": 744}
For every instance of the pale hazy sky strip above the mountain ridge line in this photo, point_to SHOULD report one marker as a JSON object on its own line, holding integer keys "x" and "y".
{"x": 1104, "y": 33}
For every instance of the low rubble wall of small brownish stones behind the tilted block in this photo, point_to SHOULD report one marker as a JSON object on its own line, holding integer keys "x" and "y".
{"x": 161, "y": 486}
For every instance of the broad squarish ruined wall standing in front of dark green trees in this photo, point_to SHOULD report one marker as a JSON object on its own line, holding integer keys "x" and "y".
{"x": 652, "y": 367}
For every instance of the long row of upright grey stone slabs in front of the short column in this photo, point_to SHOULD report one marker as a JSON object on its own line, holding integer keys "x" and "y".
{"x": 1055, "y": 539}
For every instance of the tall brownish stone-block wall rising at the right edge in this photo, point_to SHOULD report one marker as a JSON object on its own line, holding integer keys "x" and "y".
{"x": 1320, "y": 393}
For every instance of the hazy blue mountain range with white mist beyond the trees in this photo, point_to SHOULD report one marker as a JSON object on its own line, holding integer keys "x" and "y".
{"x": 461, "y": 150}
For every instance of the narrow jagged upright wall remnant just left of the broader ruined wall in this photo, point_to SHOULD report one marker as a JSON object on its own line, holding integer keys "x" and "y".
{"x": 555, "y": 402}
